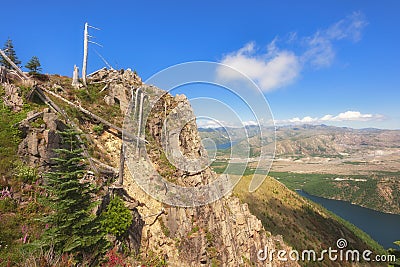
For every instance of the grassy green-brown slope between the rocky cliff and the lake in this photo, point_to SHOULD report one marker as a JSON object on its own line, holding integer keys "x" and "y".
{"x": 303, "y": 224}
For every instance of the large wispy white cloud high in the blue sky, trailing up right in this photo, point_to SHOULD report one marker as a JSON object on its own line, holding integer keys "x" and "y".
{"x": 275, "y": 67}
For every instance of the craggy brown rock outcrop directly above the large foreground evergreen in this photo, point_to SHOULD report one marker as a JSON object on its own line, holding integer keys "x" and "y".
{"x": 36, "y": 149}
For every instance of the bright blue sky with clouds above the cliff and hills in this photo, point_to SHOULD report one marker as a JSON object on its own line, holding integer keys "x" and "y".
{"x": 336, "y": 63}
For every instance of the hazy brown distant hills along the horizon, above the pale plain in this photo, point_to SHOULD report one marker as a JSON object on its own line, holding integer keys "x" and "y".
{"x": 311, "y": 140}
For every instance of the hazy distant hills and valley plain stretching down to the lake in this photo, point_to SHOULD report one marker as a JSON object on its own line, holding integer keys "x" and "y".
{"x": 357, "y": 165}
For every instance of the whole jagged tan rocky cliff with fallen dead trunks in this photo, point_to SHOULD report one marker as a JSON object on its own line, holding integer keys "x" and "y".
{"x": 223, "y": 233}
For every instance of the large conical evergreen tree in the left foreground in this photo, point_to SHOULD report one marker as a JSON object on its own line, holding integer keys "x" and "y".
{"x": 73, "y": 228}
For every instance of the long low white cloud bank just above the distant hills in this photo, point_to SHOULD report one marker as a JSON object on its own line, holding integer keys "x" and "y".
{"x": 344, "y": 116}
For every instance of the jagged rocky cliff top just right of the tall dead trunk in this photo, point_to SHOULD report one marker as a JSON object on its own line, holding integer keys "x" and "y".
{"x": 119, "y": 85}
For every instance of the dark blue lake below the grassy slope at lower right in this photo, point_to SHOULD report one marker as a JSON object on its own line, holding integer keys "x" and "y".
{"x": 382, "y": 227}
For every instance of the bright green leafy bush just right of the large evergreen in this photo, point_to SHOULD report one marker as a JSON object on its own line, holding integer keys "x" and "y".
{"x": 117, "y": 219}
